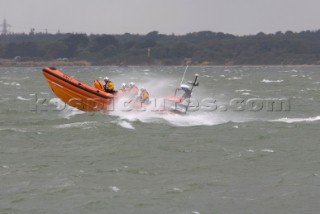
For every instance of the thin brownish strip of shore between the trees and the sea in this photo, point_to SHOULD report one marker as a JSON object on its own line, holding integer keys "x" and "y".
{"x": 73, "y": 63}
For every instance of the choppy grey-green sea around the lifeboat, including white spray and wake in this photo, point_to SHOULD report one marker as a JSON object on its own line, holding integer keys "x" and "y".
{"x": 240, "y": 155}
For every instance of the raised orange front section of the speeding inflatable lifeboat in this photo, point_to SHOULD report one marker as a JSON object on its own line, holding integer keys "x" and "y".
{"x": 77, "y": 94}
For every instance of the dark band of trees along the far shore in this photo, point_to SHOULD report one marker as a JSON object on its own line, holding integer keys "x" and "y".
{"x": 200, "y": 48}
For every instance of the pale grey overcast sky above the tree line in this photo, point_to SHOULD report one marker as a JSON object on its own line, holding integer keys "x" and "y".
{"x": 238, "y": 17}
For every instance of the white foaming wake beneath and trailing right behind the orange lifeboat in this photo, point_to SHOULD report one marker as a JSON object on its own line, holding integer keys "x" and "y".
{"x": 128, "y": 119}
